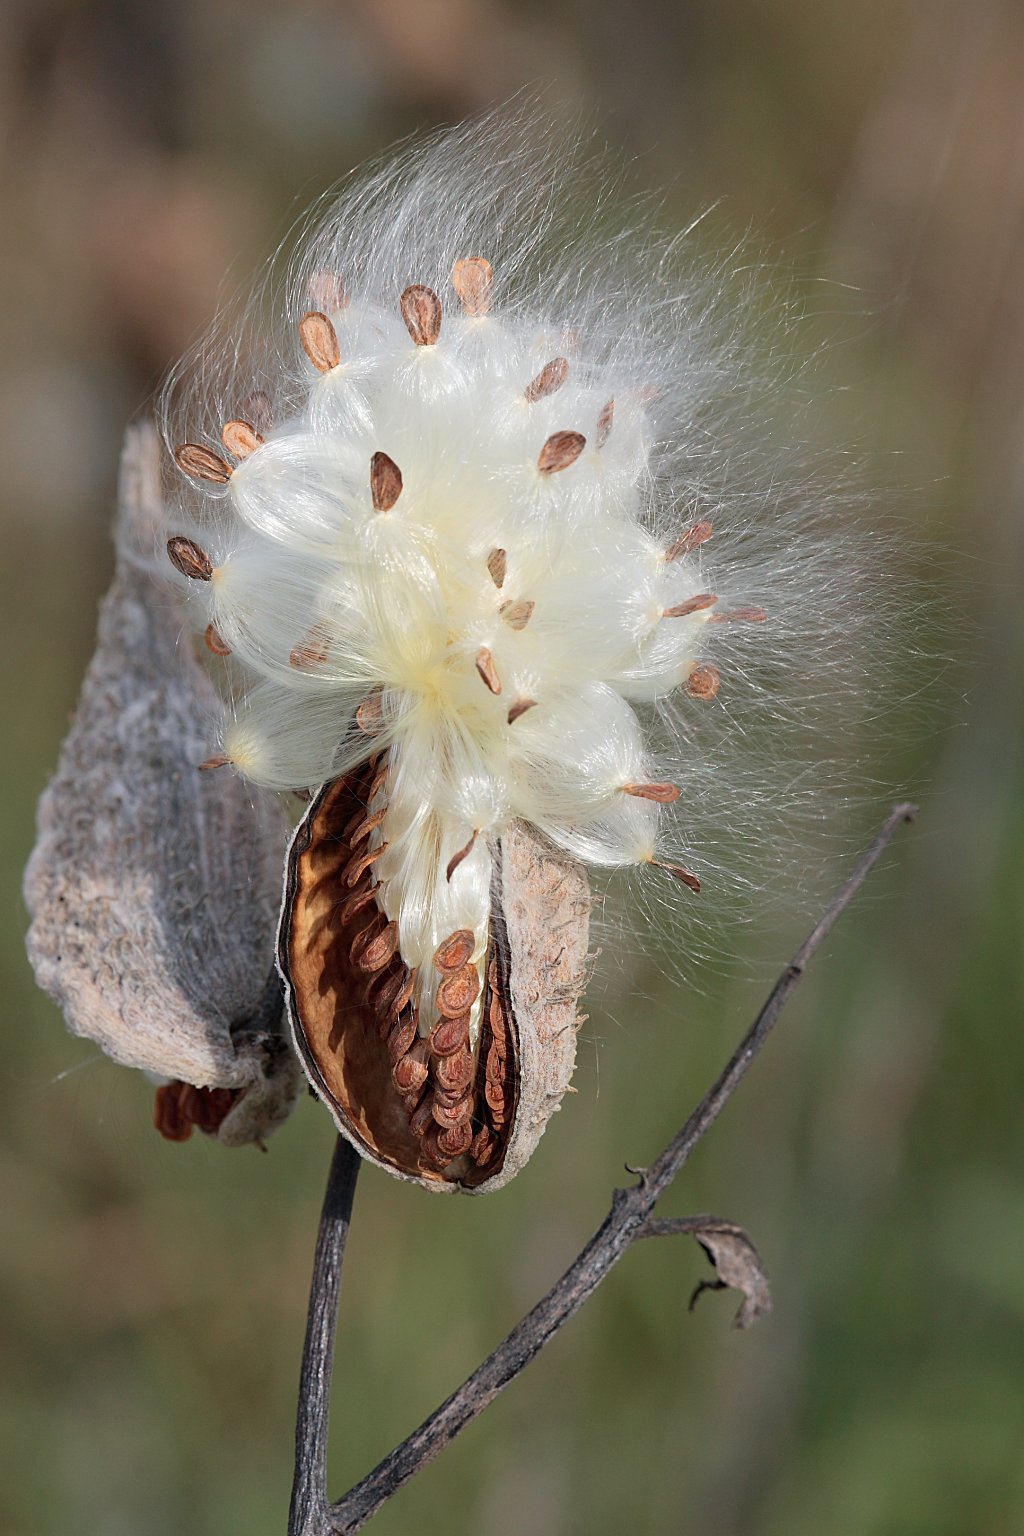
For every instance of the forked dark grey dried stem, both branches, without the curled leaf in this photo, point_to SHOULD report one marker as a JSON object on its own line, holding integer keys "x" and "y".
{"x": 629, "y": 1220}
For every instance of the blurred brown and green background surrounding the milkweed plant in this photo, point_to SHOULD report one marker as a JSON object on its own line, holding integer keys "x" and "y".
{"x": 153, "y": 1296}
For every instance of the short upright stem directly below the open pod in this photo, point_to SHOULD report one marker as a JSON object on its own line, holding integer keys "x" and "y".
{"x": 309, "y": 1514}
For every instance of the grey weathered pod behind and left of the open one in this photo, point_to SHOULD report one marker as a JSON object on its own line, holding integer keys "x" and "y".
{"x": 154, "y": 889}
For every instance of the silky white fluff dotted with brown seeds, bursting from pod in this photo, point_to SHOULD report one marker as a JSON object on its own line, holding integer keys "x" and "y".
{"x": 492, "y": 491}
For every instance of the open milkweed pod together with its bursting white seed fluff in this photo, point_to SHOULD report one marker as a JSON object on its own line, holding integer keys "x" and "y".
{"x": 467, "y": 517}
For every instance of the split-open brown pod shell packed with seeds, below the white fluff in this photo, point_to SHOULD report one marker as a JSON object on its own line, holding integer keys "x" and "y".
{"x": 409, "y": 1093}
